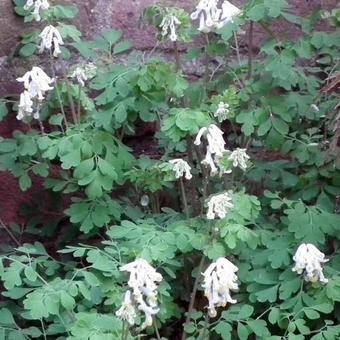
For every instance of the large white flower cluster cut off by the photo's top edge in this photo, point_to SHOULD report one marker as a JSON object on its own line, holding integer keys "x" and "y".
{"x": 212, "y": 17}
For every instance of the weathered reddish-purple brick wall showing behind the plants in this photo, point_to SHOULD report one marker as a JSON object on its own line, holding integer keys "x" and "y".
{"x": 95, "y": 16}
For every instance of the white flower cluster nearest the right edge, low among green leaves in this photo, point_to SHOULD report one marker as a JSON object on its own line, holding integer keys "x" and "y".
{"x": 308, "y": 260}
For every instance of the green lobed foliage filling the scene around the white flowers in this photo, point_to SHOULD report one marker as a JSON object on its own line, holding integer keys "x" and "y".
{"x": 120, "y": 204}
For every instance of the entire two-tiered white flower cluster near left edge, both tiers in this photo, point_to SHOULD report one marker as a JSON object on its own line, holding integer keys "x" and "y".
{"x": 36, "y": 83}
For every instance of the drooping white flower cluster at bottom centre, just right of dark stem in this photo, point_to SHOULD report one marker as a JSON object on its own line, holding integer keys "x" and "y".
{"x": 219, "y": 280}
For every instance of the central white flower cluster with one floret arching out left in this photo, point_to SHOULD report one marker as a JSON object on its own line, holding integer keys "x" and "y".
{"x": 215, "y": 148}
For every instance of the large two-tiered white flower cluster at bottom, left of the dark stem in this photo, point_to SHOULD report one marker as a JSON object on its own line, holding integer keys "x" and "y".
{"x": 142, "y": 282}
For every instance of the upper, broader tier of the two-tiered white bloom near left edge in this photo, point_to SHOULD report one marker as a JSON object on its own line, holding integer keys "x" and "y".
{"x": 36, "y": 82}
